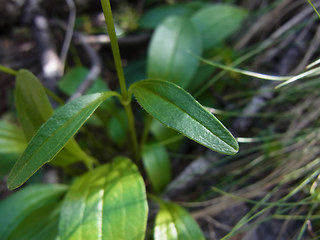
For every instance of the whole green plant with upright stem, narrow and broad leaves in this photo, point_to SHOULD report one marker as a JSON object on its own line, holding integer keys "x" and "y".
{"x": 109, "y": 201}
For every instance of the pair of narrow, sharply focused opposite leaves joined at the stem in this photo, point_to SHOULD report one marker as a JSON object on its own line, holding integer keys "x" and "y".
{"x": 165, "y": 101}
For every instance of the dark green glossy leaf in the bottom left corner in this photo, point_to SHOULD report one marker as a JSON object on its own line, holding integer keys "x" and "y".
{"x": 26, "y": 207}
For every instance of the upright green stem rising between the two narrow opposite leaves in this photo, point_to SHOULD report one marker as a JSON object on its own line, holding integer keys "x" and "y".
{"x": 117, "y": 59}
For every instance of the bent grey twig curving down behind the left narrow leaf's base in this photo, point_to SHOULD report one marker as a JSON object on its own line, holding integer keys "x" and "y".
{"x": 94, "y": 70}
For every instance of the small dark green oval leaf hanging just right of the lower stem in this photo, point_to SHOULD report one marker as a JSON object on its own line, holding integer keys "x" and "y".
{"x": 157, "y": 165}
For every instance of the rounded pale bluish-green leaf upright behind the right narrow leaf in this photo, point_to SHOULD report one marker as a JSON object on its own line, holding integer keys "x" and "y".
{"x": 169, "y": 55}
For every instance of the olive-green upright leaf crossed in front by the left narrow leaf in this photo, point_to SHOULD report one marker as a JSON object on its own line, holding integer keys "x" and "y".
{"x": 34, "y": 108}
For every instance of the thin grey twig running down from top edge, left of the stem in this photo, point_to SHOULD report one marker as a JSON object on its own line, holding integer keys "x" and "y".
{"x": 69, "y": 33}
